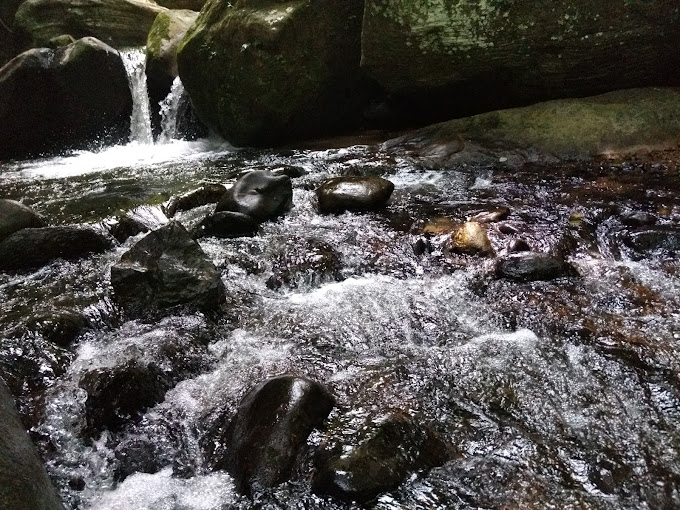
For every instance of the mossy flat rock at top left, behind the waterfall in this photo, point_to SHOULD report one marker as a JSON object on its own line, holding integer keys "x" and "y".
{"x": 119, "y": 23}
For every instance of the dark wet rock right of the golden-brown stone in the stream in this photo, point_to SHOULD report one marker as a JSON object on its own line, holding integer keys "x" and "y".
{"x": 530, "y": 266}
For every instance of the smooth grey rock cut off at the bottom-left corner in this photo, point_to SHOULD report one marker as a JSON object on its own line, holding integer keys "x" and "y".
{"x": 24, "y": 484}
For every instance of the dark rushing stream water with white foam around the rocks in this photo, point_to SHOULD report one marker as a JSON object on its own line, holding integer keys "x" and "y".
{"x": 558, "y": 394}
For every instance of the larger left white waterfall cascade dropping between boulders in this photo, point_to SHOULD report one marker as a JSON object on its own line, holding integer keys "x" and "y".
{"x": 134, "y": 60}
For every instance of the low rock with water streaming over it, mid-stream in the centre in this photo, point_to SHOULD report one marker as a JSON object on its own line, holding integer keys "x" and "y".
{"x": 307, "y": 261}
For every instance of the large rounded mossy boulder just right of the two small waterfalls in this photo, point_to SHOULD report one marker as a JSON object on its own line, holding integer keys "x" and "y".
{"x": 260, "y": 72}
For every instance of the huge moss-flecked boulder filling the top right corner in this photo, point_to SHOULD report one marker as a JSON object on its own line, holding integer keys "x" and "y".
{"x": 467, "y": 56}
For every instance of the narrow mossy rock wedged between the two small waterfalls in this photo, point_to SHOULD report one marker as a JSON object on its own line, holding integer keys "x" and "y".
{"x": 161, "y": 50}
